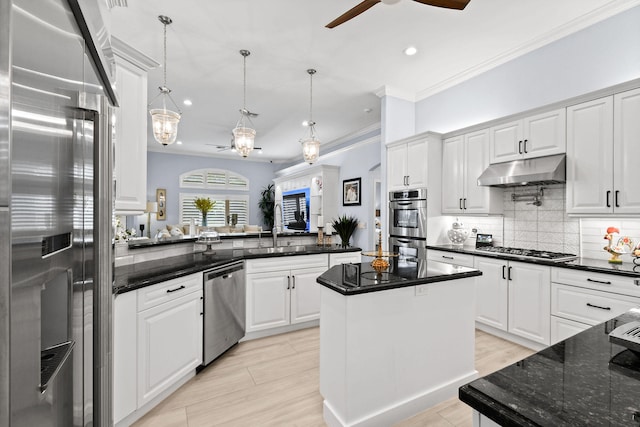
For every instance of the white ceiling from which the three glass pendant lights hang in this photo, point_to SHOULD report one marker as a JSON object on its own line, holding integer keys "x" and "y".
{"x": 354, "y": 61}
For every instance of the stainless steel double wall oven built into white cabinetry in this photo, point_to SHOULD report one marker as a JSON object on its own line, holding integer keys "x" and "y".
{"x": 408, "y": 225}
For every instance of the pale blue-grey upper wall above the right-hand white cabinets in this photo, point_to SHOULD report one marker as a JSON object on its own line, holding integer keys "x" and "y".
{"x": 599, "y": 56}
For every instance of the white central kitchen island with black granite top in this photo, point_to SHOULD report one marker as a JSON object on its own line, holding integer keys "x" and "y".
{"x": 394, "y": 343}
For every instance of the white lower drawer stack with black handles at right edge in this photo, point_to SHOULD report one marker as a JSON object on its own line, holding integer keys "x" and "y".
{"x": 582, "y": 299}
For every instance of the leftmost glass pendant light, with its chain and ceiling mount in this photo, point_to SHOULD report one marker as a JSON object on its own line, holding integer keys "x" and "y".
{"x": 165, "y": 122}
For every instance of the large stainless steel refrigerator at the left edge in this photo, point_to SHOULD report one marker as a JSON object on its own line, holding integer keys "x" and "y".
{"x": 55, "y": 215}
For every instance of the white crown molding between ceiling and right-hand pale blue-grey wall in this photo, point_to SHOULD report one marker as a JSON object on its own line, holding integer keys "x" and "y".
{"x": 608, "y": 10}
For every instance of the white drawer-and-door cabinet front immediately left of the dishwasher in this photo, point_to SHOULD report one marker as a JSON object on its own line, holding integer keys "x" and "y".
{"x": 169, "y": 336}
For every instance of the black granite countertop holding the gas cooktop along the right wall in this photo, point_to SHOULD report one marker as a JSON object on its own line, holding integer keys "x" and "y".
{"x": 627, "y": 268}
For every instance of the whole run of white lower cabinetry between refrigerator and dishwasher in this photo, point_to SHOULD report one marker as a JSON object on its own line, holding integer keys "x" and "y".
{"x": 157, "y": 343}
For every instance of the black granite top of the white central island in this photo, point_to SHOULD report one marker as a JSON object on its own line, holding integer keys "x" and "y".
{"x": 351, "y": 279}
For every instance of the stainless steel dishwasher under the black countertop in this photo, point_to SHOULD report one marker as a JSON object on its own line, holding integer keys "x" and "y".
{"x": 224, "y": 309}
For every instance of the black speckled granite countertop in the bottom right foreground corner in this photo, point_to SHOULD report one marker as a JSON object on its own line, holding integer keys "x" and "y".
{"x": 583, "y": 380}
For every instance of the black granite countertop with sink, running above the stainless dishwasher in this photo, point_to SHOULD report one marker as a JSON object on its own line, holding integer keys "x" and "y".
{"x": 135, "y": 276}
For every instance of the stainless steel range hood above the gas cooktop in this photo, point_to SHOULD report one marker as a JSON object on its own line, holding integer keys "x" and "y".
{"x": 535, "y": 171}
